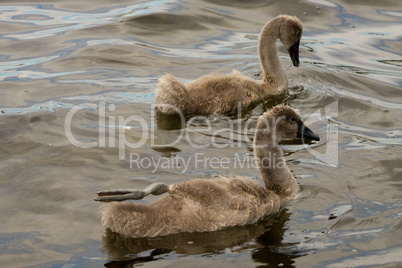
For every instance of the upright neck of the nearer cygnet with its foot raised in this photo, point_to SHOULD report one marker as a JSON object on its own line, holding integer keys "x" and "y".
{"x": 274, "y": 172}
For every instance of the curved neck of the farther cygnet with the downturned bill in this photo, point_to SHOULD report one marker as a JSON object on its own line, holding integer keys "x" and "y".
{"x": 275, "y": 76}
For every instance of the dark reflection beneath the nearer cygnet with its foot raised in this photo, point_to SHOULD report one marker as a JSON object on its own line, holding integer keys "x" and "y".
{"x": 265, "y": 238}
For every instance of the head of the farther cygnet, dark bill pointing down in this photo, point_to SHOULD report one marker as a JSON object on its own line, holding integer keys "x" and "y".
{"x": 290, "y": 33}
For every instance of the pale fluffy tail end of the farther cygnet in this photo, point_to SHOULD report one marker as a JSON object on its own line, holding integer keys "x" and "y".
{"x": 172, "y": 96}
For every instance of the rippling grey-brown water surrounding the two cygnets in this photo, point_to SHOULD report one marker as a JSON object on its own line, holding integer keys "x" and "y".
{"x": 95, "y": 61}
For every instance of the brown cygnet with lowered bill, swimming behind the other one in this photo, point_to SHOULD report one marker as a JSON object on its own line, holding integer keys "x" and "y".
{"x": 220, "y": 94}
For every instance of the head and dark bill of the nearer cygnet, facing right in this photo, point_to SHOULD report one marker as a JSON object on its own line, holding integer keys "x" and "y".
{"x": 284, "y": 122}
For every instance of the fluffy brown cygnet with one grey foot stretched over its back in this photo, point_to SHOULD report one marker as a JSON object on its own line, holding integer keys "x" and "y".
{"x": 202, "y": 205}
